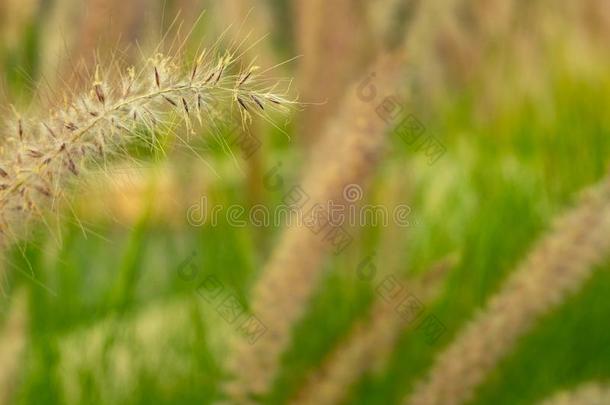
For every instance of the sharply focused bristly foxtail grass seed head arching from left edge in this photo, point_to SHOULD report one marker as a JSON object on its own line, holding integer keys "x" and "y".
{"x": 40, "y": 154}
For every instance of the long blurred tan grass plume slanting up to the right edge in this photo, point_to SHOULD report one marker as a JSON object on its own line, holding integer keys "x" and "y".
{"x": 558, "y": 266}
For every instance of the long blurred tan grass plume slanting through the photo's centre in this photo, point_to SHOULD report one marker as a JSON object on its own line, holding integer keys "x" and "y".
{"x": 279, "y": 298}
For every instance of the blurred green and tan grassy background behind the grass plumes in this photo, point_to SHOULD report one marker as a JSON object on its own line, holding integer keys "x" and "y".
{"x": 95, "y": 309}
